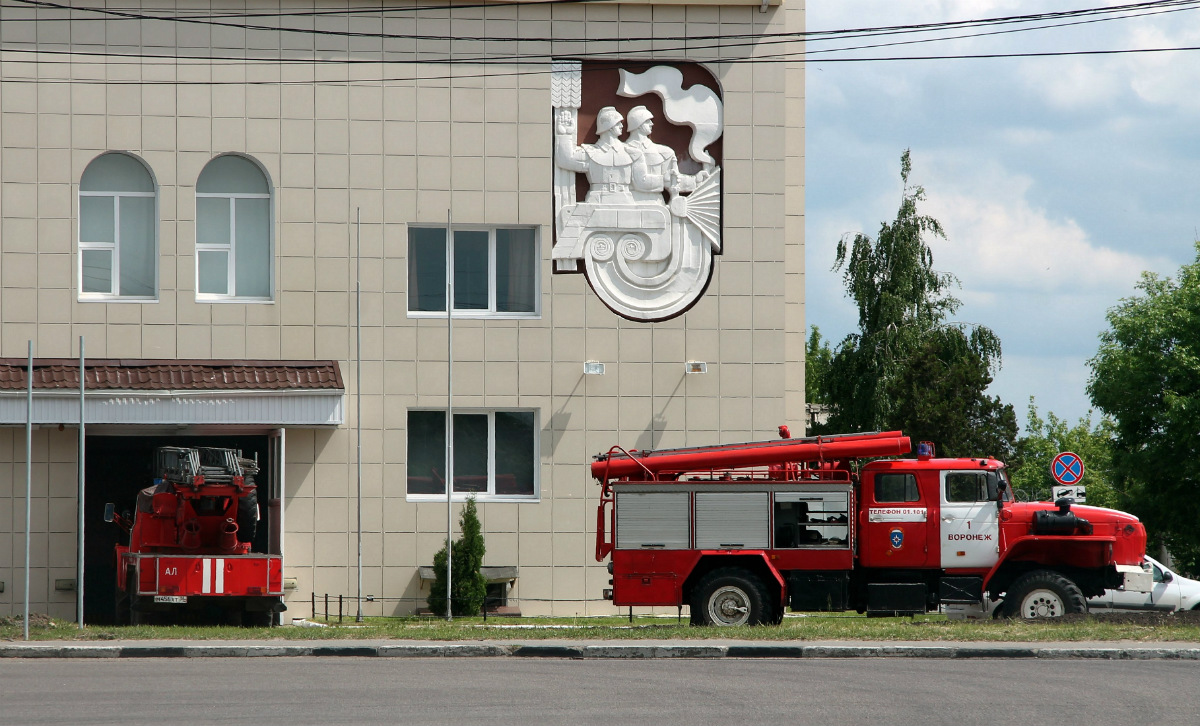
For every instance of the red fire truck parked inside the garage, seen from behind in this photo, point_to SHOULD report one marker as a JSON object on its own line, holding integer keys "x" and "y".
{"x": 190, "y": 544}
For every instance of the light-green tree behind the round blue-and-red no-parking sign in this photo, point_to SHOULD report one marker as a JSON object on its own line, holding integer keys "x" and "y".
{"x": 1046, "y": 439}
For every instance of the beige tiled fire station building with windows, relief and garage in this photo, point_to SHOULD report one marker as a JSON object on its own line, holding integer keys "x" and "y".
{"x": 255, "y": 217}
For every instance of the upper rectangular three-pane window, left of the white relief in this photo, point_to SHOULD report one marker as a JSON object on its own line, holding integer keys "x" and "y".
{"x": 495, "y": 272}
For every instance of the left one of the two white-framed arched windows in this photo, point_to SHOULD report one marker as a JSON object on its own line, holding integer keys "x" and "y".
{"x": 118, "y": 230}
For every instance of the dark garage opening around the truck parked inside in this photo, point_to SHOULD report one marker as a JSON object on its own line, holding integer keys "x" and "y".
{"x": 118, "y": 467}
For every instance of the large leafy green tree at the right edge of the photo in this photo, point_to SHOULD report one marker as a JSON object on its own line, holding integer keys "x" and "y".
{"x": 1147, "y": 377}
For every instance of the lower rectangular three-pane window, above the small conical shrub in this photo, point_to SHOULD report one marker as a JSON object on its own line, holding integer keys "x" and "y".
{"x": 495, "y": 454}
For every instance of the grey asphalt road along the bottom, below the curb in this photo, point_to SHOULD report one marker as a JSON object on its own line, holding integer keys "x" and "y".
{"x": 296, "y": 692}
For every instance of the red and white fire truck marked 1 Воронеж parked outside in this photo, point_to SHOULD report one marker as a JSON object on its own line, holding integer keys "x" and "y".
{"x": 741, "y": 532}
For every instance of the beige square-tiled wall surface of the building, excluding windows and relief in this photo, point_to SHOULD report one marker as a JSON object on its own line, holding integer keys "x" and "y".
{"x": 392, "y": 149}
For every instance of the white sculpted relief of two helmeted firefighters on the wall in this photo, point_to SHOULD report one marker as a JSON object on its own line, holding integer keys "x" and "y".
{"x": 647, "y": 230}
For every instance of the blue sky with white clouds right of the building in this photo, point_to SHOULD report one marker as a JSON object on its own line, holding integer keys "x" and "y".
{"x": 1059, "y": 181}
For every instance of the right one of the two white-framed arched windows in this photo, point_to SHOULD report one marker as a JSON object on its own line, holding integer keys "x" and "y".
{"x": 233, "y": 231}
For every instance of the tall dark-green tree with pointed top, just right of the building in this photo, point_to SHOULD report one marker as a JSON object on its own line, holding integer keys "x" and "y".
{"x": 909, "y": 364}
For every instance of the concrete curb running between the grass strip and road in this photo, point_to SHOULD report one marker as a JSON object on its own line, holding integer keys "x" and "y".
{"x": 583, "y": 651}
